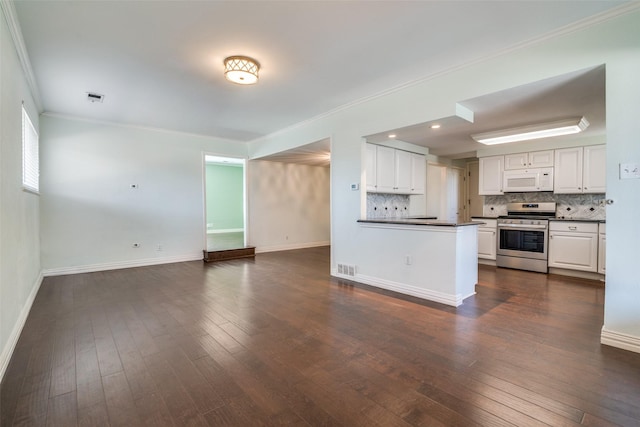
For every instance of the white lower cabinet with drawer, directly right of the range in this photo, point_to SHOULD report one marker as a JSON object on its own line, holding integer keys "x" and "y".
{"x": 573, "y": 245}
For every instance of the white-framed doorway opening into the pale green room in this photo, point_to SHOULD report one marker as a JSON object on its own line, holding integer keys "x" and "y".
{"x": 225, "y": 212}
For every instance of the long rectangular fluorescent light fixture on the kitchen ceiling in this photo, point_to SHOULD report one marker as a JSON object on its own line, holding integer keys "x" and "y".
{"x": 525, "y": 133}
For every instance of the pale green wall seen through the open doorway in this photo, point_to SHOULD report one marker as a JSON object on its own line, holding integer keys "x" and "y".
{"x": 224, "y": 197}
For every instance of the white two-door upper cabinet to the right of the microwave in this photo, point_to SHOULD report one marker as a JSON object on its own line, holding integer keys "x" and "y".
{"x": 580, "y": 170}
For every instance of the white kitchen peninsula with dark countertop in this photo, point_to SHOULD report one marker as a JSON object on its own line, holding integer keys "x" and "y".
{"x": 426, "y": 258}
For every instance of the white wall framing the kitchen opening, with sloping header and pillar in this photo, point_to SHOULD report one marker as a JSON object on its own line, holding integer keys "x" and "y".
{"x": 613, "y": 42}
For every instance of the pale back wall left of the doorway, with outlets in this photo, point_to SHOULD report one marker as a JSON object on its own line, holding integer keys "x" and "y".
{"x": 90, "y": 215}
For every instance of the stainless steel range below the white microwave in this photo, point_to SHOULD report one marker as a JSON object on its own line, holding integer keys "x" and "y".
{"x": 523, "y": 236}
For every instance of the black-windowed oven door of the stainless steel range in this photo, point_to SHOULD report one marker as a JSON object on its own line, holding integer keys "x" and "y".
{"x": 524, "y": 241}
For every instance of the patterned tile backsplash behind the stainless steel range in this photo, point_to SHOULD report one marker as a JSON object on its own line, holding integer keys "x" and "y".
{"x": 580, "y": 206}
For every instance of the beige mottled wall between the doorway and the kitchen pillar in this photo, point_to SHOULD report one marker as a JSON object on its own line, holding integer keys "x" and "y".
{"x": 289, "y": 205}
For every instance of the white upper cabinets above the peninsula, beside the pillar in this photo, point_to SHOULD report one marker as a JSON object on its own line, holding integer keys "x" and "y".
{"x": 394, "y": 171}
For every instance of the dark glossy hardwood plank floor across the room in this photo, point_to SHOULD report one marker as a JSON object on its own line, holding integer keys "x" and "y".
{"x": 275, "y": 341}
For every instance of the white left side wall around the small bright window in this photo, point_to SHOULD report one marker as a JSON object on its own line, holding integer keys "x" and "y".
{"x": 19, "y": 211}
